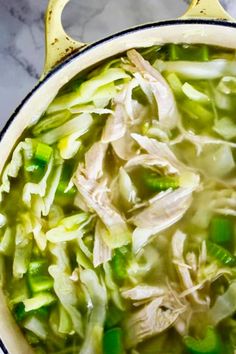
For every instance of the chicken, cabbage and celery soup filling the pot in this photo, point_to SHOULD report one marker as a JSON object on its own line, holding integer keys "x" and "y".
{"x": 118, "y": 209}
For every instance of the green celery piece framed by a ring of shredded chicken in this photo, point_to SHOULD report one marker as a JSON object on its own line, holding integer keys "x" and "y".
{"x": 155, "y": 182}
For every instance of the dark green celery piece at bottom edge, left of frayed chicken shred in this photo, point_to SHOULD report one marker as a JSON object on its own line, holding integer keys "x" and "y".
{"x": 112, "y": 341}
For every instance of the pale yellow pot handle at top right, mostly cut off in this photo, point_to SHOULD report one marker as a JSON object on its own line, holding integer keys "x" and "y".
{"x": 208, "y": 9}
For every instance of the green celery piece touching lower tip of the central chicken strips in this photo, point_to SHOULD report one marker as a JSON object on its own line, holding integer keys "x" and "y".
{"x": 119, "y": 263}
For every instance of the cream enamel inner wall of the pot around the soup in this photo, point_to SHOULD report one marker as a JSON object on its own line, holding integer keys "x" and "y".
{"x": 213, "y": 34}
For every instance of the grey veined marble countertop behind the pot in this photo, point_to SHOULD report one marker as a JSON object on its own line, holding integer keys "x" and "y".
{"x": 22, "y": 34}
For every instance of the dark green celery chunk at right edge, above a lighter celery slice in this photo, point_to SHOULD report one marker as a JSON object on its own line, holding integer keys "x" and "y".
{"x": 221, "y": 230}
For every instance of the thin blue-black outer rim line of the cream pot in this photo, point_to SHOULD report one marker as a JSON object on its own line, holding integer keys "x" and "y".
{"x": 91, "y": 46}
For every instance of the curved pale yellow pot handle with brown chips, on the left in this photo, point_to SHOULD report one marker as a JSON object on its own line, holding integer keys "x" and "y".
{"x": 59, "y": 45}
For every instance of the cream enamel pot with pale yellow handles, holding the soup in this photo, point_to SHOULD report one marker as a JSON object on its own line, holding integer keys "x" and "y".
{"x": 205, "y": 22}
